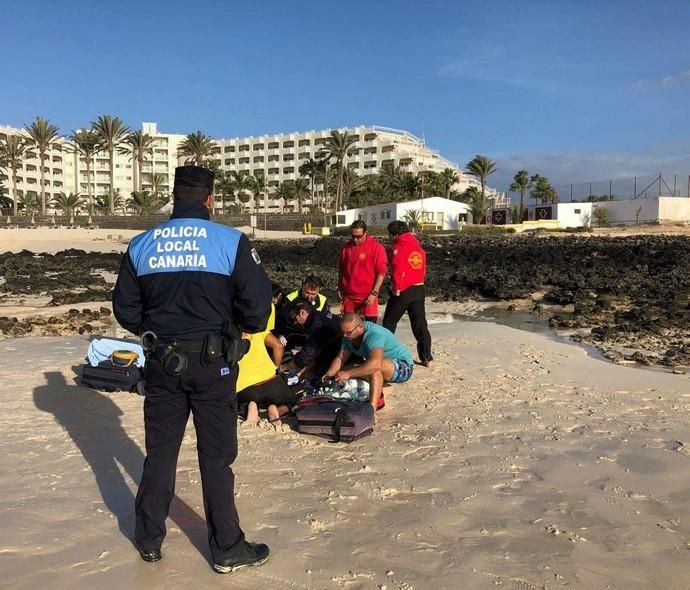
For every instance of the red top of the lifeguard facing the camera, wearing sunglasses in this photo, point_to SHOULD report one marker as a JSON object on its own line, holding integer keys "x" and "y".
{"x": 359, "y": 266}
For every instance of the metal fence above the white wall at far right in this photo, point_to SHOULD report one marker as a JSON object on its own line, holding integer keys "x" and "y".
{"x": 659, "y": 185}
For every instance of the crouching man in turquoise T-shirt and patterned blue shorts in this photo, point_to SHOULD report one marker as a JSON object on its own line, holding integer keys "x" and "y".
{"x": 385, "y": 358}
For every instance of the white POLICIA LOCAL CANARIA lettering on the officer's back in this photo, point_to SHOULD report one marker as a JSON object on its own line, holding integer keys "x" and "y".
{"x": 172, "y": 242}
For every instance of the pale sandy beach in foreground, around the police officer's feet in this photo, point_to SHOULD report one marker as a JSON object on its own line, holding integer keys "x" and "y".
{"x": 515, "y": 461}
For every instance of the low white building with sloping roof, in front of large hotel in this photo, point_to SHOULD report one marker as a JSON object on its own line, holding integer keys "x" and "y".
{"x": 436, "y": 212}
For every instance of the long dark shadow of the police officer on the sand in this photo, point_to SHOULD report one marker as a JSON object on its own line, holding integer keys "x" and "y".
{"x": 93, "y": 422}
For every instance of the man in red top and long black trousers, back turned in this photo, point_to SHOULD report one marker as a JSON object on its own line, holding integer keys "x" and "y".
{"x": 408, "y": 270}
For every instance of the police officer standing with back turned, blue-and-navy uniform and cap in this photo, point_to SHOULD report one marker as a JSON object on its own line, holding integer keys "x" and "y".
{"x": 183, "y": 283}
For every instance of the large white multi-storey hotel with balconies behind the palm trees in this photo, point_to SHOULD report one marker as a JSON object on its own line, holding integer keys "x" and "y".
{"x": 278, "y": 156}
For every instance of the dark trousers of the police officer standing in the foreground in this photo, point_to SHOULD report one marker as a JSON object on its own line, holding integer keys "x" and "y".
{"x": 209, "y": 393}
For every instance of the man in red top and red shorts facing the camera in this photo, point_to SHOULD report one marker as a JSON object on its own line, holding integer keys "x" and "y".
{"x": 362, "y": 266}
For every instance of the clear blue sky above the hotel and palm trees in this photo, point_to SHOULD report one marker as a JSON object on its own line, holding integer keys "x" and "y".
{"x": 576, "y": 90}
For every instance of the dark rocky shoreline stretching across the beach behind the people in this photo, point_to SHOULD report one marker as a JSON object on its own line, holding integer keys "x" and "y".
{"x": 628, "y": 296}
